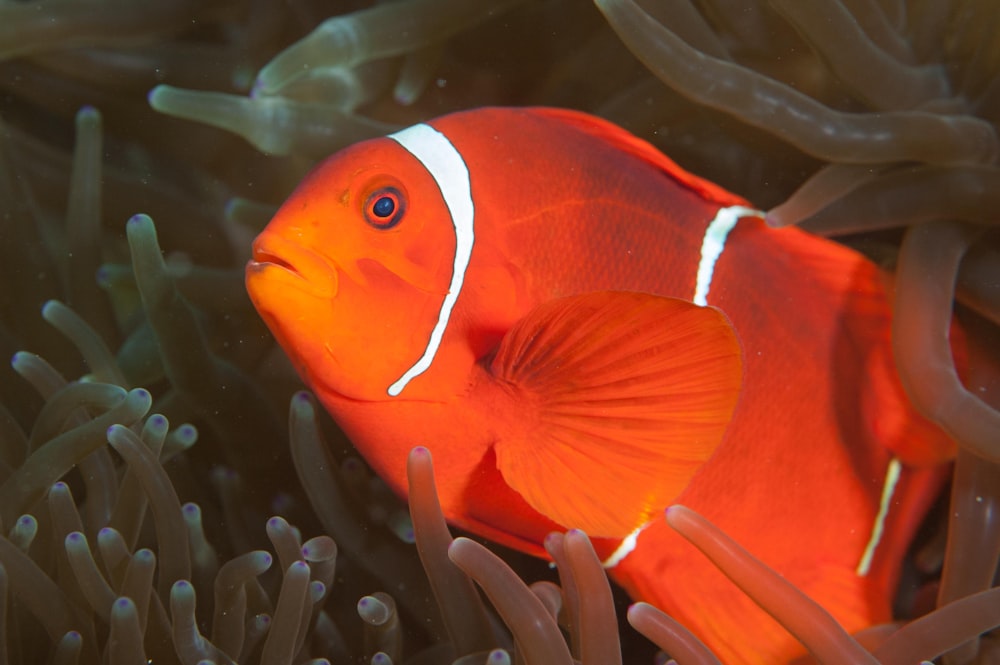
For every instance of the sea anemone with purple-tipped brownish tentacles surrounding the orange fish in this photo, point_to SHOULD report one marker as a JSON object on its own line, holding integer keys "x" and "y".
{"x": 872, "y": 121}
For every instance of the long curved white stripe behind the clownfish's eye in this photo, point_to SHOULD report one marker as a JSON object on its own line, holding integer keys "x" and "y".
{"x": 446, "y": 166}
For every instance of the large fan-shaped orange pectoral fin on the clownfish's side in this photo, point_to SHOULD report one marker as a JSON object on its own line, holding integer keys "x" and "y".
{"x": 616, "y": 399}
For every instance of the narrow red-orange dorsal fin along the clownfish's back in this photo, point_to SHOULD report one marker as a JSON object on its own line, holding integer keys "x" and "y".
{"x": 633, "y": 145}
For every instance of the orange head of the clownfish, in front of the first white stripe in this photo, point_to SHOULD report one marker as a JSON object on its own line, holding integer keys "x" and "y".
{"x": 351, "y": 273}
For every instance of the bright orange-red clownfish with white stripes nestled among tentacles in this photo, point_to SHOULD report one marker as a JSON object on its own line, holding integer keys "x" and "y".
{"x": 583, "y": 334}
